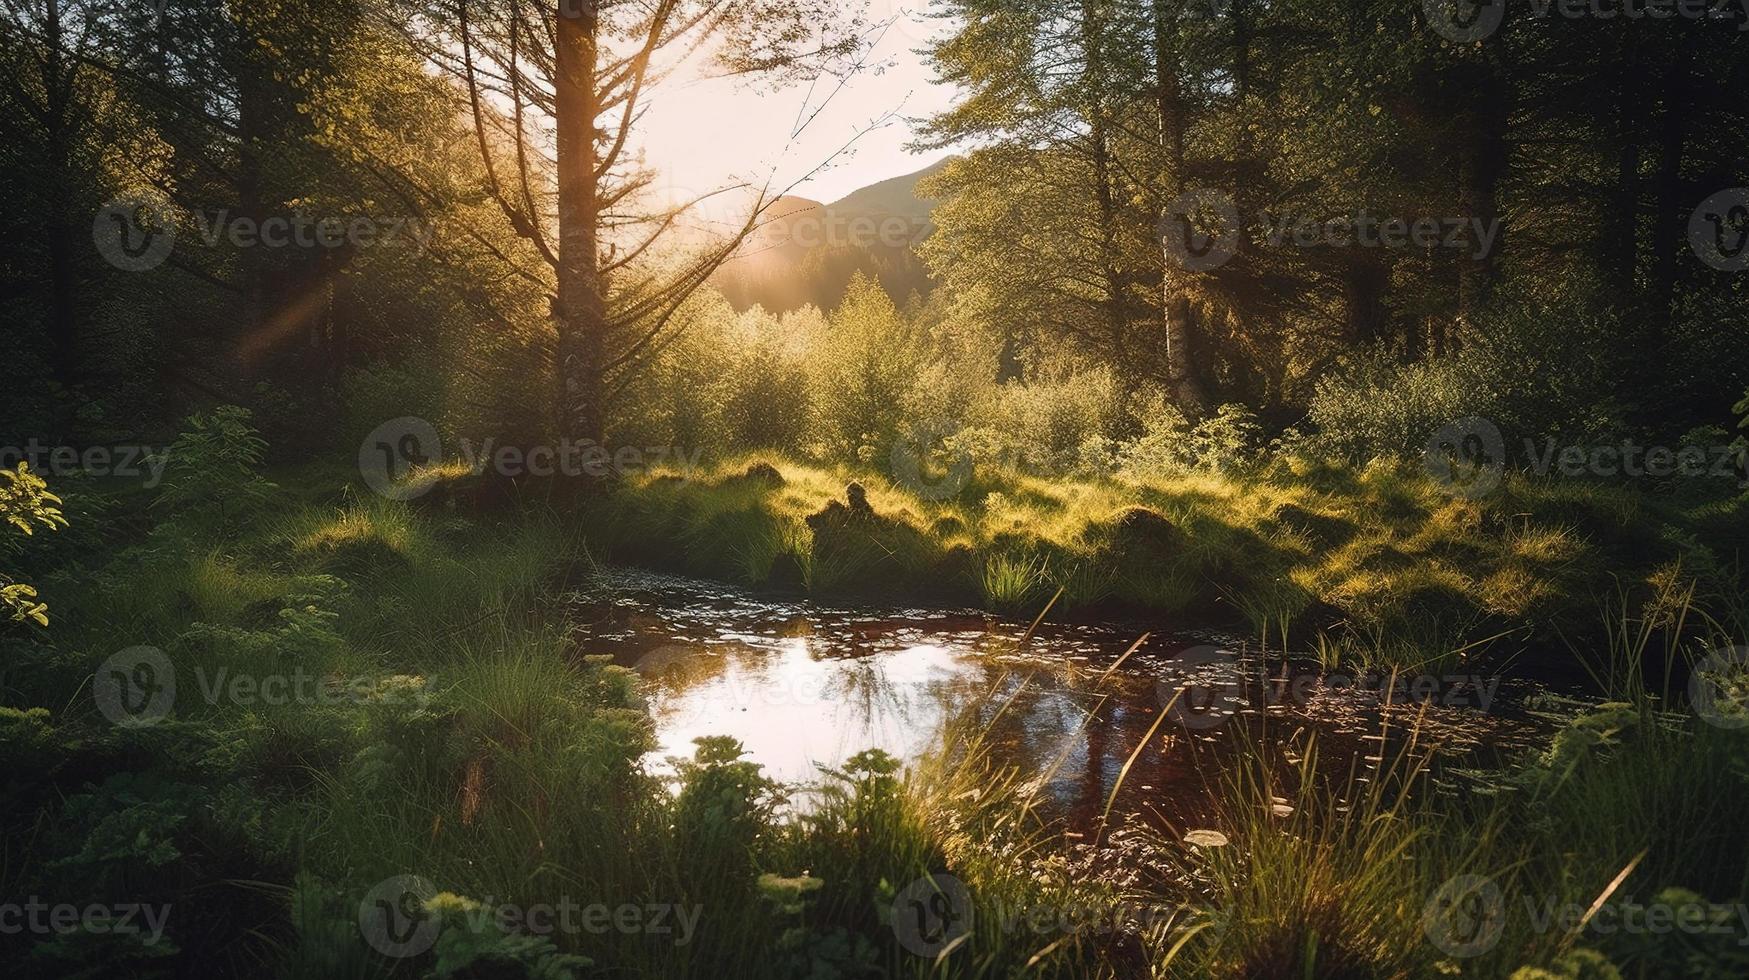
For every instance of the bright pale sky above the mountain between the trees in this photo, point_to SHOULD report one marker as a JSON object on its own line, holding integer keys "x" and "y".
{"x": 707, "y": 134}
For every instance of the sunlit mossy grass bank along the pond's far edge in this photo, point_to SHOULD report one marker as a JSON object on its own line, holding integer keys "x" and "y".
{"x": 1293, "y": 550}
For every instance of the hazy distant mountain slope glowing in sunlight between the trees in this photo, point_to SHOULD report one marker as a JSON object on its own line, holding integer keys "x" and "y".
{"x": 809, "y": 253}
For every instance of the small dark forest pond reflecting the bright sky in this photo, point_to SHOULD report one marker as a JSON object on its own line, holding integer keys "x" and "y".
{"x": 805, "y": 685}
